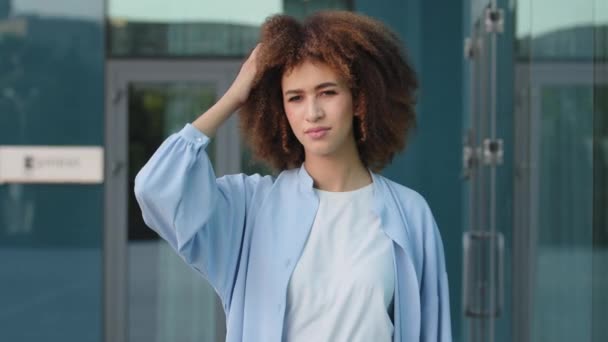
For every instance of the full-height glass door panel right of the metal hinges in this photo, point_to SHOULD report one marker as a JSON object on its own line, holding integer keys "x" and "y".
{"x": 560, "y": 156}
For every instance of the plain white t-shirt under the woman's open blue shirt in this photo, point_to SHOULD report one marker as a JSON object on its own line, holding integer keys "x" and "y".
{"x": 343, "y": 284}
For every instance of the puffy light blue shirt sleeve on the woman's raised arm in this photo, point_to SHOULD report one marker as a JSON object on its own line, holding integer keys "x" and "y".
{"x": 203, "y": 218}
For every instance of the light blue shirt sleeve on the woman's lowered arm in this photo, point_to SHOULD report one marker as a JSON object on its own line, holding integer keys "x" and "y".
{"x": 435, "y": 299}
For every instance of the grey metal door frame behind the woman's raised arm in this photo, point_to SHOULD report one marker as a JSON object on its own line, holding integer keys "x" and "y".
{"x": 119, "y": 74}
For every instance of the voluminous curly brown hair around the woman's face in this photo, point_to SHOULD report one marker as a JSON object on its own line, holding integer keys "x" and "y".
{"x": 365, "y": 53}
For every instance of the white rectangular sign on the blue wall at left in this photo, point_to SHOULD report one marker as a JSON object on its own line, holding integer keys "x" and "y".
{"x": 51, "y": 164}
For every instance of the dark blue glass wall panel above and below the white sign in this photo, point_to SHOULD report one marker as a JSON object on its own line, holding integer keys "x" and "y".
{"x": 51, "y": 93}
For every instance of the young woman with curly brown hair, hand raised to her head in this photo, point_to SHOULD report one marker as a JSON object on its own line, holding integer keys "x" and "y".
{"x": 328, "y": 250}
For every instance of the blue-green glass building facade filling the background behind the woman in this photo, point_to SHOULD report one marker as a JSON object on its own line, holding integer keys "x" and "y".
{"x": 511, "y": 152}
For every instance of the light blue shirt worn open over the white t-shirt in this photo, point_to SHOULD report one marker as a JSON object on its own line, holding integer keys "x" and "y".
{"x": 245, "y": 234}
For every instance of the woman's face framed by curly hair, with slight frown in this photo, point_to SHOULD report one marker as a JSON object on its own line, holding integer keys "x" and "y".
{"x": 319, "y": 108}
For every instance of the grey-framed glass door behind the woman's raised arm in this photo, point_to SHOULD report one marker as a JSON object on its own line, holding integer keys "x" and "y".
{"x": 151, "y": 294}
